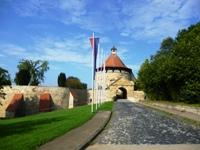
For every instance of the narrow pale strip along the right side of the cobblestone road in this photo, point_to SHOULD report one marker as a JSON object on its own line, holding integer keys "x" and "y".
{"x": 185, "y": 114}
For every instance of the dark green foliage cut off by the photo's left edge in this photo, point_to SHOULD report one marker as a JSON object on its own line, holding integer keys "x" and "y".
{"x": 4, "y": 80}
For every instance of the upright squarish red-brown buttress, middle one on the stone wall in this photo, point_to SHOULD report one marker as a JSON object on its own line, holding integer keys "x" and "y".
{"x": 45, "y": 103}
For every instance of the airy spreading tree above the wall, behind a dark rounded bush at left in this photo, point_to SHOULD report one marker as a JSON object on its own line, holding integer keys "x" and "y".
{"x": 35, "y": 68}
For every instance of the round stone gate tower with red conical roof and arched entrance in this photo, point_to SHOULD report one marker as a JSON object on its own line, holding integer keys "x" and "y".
{"x": 118, "y": 77}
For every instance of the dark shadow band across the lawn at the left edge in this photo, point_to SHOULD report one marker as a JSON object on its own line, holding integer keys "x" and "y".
{"x": 26, "y": 126}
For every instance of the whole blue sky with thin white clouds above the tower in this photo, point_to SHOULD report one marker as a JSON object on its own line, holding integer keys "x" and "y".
{"x": 58, "y": 31}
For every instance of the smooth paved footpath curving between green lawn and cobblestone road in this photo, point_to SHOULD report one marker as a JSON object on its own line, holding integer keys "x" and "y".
{"x": 80, "y": 137}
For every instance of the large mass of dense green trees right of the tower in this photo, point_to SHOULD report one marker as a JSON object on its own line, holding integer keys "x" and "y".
{"x": 173, "y": 73}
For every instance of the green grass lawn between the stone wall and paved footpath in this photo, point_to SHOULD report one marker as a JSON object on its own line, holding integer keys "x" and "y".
{"x": 29, "y": 132}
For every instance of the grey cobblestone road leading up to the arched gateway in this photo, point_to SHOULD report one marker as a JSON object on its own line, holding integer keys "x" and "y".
{"x": 135, "y": 124}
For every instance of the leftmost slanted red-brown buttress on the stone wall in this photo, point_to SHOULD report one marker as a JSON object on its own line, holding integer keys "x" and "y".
{"x": 16, "y": 103}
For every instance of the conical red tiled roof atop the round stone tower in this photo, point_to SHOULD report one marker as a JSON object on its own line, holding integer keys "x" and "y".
{"x": 114, "y": 61}
